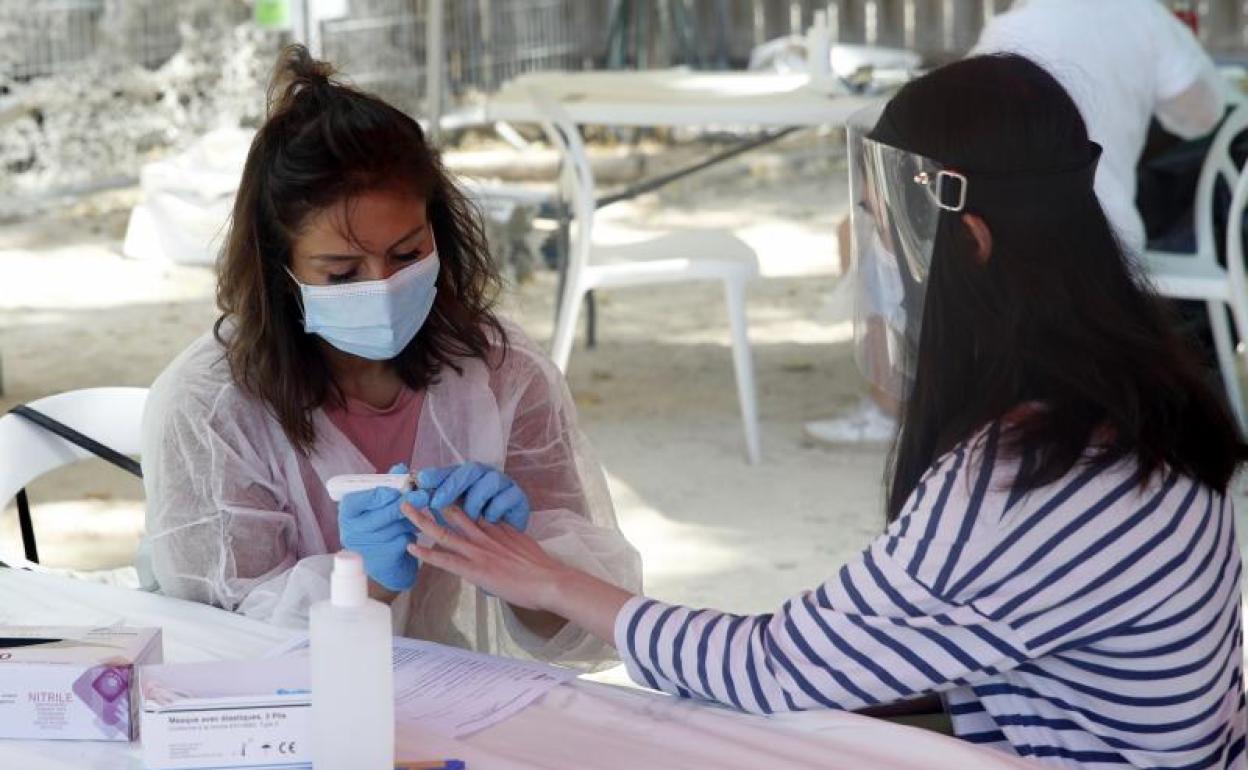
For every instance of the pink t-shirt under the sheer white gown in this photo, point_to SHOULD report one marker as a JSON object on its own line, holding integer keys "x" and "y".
{"x": 384, "y": 436}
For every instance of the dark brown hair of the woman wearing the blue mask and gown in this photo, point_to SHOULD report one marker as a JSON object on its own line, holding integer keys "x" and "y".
{"x": 323, "y": 144}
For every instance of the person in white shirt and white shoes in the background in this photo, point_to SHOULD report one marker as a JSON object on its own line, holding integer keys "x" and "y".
{"x": 1124, "y": 63}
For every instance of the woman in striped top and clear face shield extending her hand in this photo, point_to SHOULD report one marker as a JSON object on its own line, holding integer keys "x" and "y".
{"x": 1060, "y": 562}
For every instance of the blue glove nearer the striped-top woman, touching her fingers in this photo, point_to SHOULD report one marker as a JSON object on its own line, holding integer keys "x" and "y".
{"x": 487, "y": 494}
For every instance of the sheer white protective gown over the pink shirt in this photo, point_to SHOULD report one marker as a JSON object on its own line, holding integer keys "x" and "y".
{"x": 239, "y": 519}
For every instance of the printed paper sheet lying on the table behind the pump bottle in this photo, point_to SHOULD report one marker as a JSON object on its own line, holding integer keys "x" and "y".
{"x": 456, "y": 692}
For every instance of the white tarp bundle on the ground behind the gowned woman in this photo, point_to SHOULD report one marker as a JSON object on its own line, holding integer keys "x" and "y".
{"x": 187, "y": 200}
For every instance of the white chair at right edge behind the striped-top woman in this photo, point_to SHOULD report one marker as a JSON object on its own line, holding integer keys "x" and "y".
{"x": 1199, "y": 276}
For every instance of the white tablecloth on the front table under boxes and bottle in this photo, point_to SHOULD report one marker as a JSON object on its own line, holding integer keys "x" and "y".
{"x": 582, "y": 726}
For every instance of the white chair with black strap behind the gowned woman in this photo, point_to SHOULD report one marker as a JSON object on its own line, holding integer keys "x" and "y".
{"x": 110, "y": 416}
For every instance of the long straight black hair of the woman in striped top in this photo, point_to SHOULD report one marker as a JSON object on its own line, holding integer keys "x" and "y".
{"x": 1058, "y": 316}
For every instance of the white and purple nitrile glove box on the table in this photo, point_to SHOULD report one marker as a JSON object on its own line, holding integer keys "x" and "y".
{"x": 73, "y": 683}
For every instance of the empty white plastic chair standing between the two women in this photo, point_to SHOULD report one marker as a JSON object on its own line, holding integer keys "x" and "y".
{"x": 692, "y": 255}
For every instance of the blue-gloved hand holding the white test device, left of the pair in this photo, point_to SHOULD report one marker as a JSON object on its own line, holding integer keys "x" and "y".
{"x": 370, "y": 524}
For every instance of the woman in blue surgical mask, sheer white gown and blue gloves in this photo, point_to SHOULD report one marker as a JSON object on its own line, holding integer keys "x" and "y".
{"x": 358, "y": 335}
